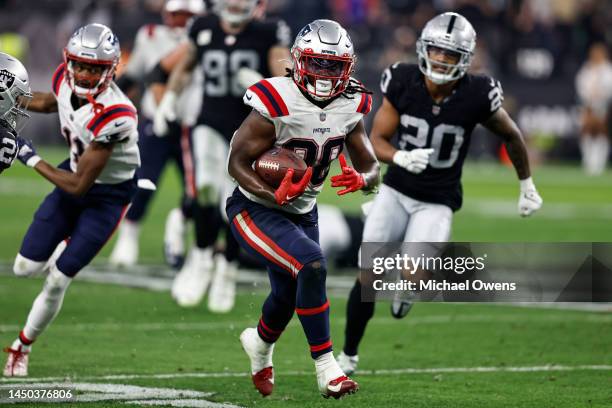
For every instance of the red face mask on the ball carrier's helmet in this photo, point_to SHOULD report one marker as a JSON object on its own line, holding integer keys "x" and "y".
{"x": 323, "y": 76}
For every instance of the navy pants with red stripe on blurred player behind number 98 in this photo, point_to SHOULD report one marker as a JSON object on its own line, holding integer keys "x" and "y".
{"x": 155, "y": 153}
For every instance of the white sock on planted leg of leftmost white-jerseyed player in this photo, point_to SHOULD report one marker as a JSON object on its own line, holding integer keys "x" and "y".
{"x": 47, "y": 304}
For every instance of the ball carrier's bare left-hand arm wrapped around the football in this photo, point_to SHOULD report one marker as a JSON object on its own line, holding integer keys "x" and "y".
{"x": 253, "y": 138}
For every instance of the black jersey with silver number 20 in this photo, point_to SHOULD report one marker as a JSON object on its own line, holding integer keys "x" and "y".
{"x": 446, "y": 127}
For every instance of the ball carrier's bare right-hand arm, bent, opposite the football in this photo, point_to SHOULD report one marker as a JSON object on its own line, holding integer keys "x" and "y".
{"x": 363, "y": 158}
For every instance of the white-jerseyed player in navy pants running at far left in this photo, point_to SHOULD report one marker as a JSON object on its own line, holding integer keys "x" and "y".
{"x": 93, "y": 187}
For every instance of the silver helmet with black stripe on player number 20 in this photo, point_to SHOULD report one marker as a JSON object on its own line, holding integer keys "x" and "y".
{"x": 452, "y": 33}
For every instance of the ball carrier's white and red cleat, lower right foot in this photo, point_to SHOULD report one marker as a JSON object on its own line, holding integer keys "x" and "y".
{"x": 331, "y": 379}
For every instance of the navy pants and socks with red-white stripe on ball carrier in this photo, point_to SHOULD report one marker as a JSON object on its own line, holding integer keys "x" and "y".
{"x": 288, "y": 244}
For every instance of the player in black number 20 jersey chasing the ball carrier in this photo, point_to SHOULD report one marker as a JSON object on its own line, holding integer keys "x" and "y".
{"x": 433, "y": 109}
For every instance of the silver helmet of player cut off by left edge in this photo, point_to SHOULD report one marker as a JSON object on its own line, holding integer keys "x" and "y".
{"x": 15, "y": 94}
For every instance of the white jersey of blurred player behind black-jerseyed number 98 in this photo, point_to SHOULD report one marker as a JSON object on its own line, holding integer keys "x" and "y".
{"x": 154, "y": 42}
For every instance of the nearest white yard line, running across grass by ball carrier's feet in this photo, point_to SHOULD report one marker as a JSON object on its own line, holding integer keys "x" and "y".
{"x": 397, "y": 371}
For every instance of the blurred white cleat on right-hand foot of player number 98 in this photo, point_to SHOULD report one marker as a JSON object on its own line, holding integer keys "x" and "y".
{"x": 223, "y": 288}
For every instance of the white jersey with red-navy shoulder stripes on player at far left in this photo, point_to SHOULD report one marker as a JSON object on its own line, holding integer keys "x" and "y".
{"x": 116, "y": 123}
